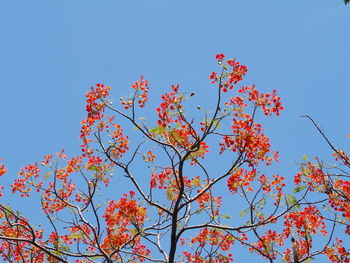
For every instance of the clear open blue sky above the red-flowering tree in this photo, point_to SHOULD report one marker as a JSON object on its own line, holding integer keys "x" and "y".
{"x": 51, "y": 52}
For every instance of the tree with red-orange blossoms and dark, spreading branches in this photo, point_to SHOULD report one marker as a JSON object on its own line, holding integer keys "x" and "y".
{"x": 173, "y": 210}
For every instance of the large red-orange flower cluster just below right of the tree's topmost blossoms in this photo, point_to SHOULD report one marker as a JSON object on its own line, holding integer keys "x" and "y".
{"x": 247, "y": 137}
